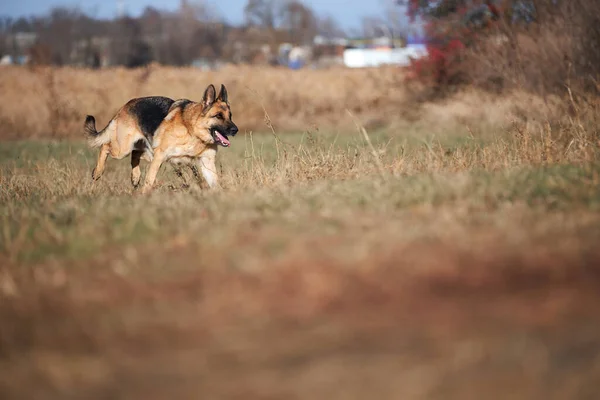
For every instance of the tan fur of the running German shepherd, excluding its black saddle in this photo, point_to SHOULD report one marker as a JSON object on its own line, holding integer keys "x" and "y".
{"x": 183, "y": 138}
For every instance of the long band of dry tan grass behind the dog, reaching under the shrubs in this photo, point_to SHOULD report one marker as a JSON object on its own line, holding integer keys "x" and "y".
{"x": 51, "y": 102}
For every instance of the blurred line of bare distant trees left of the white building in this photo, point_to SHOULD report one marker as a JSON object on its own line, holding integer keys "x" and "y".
{"x": 69, "y": 36}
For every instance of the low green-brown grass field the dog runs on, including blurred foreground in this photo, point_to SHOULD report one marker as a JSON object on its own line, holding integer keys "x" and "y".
{"x": 400, "y": 263}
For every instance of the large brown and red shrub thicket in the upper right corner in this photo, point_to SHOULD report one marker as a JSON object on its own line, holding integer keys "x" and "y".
{"x": 542, "y": 46}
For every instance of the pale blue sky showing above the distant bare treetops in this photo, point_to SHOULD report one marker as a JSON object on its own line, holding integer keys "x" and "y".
{"x": 347, "y": 13}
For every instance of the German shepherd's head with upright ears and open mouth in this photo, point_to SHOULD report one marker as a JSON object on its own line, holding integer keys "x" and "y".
{"x": 217, "y": 116}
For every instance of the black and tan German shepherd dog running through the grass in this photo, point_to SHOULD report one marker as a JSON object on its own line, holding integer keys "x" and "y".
{"x": 159, "y": 129}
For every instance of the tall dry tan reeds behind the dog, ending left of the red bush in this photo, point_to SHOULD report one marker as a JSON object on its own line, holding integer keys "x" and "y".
{"x": 34, "y": 100}
